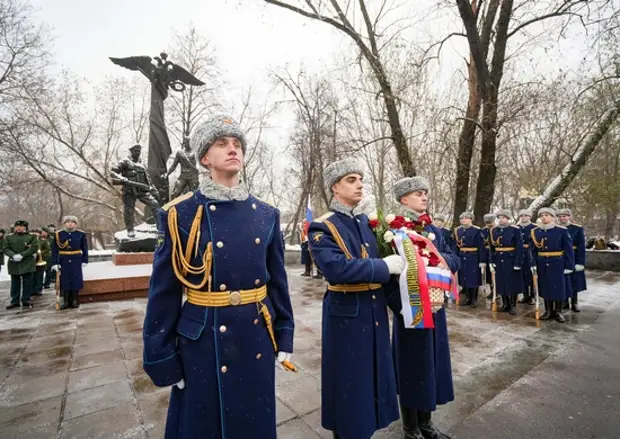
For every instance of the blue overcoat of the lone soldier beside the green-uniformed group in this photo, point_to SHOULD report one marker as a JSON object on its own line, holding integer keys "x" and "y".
{"x": 71, "y": 277}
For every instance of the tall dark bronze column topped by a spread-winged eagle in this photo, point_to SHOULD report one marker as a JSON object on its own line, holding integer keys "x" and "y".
{"x": 163, "y": 75}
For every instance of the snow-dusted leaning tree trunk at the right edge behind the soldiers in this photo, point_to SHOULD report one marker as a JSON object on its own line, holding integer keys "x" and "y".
{"x": 557, "y": 186}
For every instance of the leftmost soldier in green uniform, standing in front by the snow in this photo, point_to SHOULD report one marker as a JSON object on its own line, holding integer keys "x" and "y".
{"x": 21, "y": 248}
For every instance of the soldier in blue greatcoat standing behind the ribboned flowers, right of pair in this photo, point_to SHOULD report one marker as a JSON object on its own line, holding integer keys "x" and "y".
{"x": 421, "y": 356}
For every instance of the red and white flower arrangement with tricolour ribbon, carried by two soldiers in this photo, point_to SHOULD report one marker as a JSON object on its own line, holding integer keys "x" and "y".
{"x": 426, "y": 279}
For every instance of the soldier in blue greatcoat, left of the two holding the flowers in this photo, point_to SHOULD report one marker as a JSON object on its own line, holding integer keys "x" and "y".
{"x": 358, "y": 387}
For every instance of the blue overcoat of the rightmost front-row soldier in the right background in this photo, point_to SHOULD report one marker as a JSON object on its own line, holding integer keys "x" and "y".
{"x": 553, "y": 253}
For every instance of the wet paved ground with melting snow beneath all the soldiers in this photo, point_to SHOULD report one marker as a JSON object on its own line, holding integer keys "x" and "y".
{"x": 78, "y": 373}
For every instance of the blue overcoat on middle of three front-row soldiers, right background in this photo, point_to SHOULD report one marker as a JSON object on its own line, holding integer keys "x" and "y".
{"x": 507, "y": 254}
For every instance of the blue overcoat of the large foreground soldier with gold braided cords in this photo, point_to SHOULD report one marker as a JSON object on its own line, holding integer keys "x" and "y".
{"x": 224, "y": 354}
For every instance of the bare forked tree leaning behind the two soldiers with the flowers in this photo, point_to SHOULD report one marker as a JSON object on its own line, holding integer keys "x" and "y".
{"x": 370, "y": 40}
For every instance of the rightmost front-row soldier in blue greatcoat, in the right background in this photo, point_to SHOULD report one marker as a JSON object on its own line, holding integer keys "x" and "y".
{"x": 553, "y": 261}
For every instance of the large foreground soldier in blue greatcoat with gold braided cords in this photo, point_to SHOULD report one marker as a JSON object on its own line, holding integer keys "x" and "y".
{"x": 222, "y": 248}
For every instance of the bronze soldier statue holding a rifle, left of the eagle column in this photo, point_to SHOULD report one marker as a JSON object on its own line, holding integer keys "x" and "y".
{"x": 132, "y": 174}
